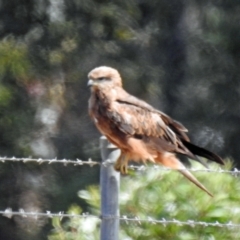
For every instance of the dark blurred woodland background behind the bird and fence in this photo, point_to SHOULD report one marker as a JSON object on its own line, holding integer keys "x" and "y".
{"x": 181, "y": 56}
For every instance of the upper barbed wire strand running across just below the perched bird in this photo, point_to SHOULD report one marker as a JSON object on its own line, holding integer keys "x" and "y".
{"x": 92, "y": 163}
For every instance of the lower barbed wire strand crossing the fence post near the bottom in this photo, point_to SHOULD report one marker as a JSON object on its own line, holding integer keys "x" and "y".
{"x": 9, "y": 214}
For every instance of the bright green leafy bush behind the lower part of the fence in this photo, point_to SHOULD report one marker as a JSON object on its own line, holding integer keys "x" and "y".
{"x": 167, "y": 194}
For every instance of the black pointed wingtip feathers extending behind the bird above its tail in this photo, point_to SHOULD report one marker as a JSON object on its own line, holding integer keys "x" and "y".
{"x": 203, "y": 152}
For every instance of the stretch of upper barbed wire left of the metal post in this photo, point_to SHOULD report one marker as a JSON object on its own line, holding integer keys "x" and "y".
{"x": 76, "y": 162}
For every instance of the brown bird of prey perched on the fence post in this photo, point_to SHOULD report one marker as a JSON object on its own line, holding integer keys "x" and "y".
{"x": 140, "y": 131}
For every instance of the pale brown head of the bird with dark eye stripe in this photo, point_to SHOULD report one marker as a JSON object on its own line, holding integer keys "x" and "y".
{"x": 104, "y": 77}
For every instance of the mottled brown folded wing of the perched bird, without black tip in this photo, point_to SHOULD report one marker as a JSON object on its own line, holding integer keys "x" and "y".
{"x": 137, "y": 118}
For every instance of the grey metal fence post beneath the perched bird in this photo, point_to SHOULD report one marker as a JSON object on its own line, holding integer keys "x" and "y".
{"x": 109, "y": 184}
